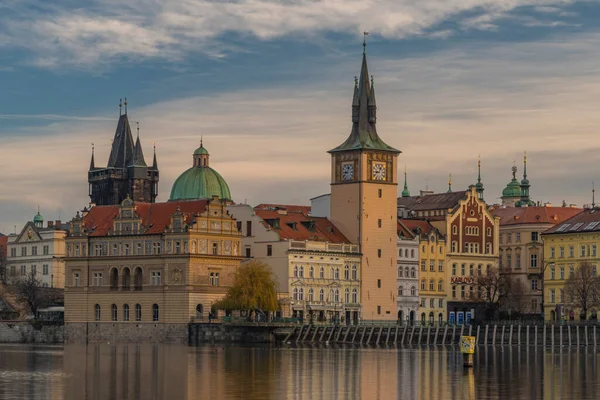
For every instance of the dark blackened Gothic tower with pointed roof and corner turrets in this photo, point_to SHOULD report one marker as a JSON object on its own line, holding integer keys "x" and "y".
{"x": 126, "y": 174}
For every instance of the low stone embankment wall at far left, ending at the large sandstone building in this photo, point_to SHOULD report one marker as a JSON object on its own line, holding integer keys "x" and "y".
{"x": 26, "y": 332}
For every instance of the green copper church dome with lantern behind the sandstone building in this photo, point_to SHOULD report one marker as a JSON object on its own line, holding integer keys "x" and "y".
{"x": 200, "y": 181}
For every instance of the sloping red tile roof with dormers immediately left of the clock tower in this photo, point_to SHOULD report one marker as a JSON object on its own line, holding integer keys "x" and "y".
{"x": 300, "y": 226}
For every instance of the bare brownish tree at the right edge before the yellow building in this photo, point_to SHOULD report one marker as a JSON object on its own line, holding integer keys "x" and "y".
{"x": 582, "y": 289}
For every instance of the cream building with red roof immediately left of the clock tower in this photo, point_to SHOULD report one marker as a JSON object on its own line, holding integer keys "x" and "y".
{"x": 317, "y": 268}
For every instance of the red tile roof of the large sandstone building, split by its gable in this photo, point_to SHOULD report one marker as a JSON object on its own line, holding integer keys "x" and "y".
{"x": 155, "y": 216}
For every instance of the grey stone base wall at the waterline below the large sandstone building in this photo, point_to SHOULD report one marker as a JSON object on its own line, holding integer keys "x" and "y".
{"x": 127, "y": 332}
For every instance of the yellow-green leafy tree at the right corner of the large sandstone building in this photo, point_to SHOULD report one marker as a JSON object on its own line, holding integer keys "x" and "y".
{"x": 254, "y": 288}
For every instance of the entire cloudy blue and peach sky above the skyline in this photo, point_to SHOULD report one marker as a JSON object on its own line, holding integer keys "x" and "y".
{"x": 268, "y": 85}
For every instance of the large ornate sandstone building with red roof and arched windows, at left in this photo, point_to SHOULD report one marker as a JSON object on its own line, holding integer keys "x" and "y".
{"x": 143, "y": 271}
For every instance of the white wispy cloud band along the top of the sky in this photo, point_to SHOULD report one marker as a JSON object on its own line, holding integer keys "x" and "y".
{"x": 108, "y": 31}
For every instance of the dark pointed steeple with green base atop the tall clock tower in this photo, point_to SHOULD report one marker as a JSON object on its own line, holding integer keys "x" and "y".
{"x": 364, "y": 115}
